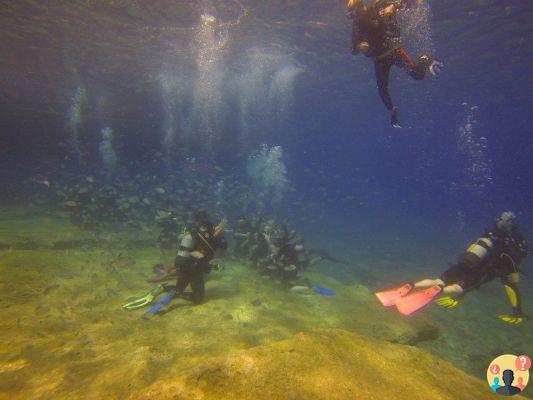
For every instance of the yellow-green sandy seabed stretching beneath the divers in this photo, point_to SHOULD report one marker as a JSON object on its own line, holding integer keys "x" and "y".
{"x": 65, "y": 335}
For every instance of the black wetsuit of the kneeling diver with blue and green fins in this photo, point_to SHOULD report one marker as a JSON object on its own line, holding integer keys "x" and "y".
{"x": 191, "y": 270}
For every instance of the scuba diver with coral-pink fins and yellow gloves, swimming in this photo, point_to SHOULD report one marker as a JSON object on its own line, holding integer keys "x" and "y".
{"x": 496, "y": 254}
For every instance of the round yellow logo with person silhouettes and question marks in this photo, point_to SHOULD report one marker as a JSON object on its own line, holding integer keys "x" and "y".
{"x": 508, "y": 374}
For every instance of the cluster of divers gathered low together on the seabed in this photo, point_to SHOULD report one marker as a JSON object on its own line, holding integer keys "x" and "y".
{"x": 273, "y": 250}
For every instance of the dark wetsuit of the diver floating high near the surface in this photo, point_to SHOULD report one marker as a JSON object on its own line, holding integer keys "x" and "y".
{"x": 385, "y": 47}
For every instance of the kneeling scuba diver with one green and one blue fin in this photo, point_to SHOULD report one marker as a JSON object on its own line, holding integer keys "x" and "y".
{"x": 196, "y": 250}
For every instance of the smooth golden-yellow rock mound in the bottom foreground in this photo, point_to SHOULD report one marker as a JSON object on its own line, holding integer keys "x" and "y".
{"x": 325, "y": 364}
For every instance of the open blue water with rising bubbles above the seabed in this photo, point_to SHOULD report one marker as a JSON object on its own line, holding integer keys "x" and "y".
{"x": 281, "y": 74}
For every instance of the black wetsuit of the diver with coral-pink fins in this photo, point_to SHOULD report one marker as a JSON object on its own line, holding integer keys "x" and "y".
{"x": 503, "y": 259}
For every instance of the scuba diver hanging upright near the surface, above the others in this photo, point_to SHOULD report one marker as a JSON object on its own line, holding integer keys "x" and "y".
{"x": 376, "y": 34}
